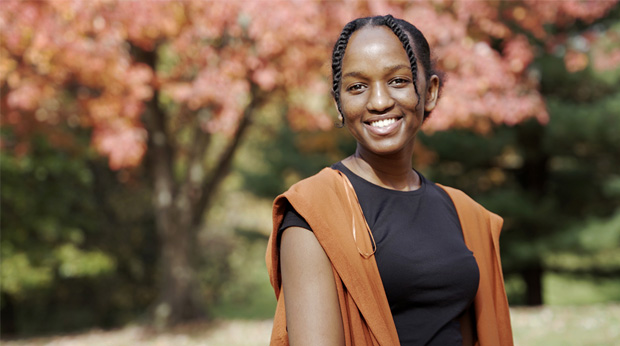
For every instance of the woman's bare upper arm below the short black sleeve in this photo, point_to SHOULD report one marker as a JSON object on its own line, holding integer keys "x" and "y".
{"x": 310, "y": 295}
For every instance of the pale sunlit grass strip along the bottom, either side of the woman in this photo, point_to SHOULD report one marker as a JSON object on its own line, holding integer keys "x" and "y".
{"x": 549, "y": 326}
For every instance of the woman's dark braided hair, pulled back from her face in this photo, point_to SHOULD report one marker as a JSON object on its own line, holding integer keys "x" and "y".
{"x": 406, "y": 33}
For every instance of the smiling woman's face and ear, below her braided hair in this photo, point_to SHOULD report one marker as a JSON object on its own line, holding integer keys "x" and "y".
{"x": 377, "y": 93}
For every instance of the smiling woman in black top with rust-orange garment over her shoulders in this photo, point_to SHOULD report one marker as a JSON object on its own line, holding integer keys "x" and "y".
{"x": 368, "y": 251}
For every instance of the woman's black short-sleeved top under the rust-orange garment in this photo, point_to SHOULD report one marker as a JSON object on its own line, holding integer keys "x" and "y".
{"x": 429, "y": 275}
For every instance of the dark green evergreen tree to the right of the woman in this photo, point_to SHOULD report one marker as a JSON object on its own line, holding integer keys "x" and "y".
{"x": 553, "y": 184}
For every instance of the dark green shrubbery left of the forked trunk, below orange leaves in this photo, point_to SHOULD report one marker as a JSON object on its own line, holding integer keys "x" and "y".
{"x": 74, "y": 247}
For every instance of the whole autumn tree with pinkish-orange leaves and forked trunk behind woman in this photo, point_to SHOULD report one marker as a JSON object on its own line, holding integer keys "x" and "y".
{"x": 173, "y": 86}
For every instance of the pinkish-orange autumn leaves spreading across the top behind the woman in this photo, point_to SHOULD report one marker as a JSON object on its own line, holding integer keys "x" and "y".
{"x": 213, "y": 53}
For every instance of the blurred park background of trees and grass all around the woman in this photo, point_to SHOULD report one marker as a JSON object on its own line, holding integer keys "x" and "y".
{"x": 142, "y": 144}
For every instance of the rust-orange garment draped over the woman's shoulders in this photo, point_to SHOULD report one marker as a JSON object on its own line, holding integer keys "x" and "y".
{"x": 328, "y": 203}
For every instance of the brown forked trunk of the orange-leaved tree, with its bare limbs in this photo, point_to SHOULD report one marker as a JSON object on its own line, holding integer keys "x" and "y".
{"x": 181, "y": 202}
